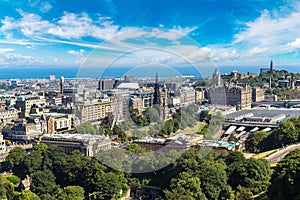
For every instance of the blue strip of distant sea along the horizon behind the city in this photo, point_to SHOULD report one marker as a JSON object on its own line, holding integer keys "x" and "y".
{"x": 75, "y": 72}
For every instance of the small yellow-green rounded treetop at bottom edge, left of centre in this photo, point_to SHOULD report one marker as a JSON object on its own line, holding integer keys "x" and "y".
{"x": 72, "y": 193}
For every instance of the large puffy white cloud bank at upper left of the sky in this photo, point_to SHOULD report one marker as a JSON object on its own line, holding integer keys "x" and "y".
{"x": 69, "y": 26}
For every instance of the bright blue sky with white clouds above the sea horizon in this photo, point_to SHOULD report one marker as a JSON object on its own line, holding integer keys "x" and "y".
{"x": 98, "y": 33}
